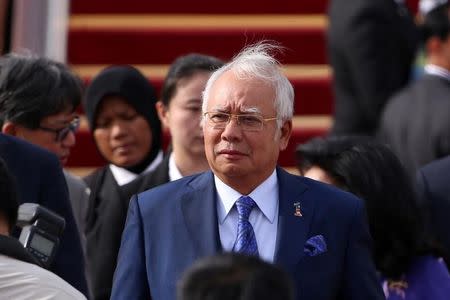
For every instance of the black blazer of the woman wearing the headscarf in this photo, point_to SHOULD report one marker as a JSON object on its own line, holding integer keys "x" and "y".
{"x": 107, "y": 211}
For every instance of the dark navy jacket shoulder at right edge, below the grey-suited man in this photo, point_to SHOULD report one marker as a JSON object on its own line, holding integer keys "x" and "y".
{"x": 434, "y": 190}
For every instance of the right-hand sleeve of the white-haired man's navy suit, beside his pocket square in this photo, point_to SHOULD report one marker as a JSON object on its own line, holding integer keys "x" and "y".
{"x": 361, "y": 280}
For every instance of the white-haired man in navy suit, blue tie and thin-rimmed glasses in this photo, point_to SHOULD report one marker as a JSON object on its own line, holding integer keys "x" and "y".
{"x": 247, "y": 204}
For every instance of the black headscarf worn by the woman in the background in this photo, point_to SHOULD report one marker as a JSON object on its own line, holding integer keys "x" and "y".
{"x": 128, "y": 83}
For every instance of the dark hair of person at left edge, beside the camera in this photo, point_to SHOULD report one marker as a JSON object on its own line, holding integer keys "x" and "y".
{"x": 9, "y": 203}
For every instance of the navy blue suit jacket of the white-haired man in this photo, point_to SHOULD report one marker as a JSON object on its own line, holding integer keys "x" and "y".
{"x": 172, "y": 225}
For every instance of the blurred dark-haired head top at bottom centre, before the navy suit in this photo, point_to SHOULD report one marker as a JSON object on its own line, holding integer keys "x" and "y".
{"x": 234, "y": 276}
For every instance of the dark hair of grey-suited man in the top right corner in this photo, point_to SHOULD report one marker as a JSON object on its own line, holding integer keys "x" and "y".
{"x": 436, "y": 23}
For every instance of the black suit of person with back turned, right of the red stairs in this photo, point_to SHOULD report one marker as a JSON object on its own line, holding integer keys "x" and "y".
{"x": 371, "y": 46}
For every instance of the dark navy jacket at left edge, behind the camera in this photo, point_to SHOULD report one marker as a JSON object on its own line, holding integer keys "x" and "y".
{"x": 40, "y": 179}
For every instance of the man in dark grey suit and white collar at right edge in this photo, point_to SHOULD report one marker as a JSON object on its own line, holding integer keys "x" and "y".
{"x": 415, "y": 122}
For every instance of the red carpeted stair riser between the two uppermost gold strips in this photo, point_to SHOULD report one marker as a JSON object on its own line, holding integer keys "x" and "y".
{"x": 162, "y": 46}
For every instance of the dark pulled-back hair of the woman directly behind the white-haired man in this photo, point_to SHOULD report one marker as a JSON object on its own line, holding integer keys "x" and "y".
{"x": 184, "y": 67}
